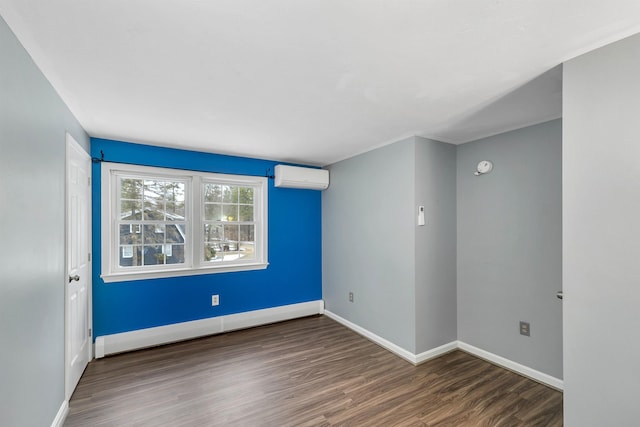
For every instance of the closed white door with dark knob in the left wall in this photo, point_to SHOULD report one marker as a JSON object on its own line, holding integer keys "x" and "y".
{"x": 78, "y": 284}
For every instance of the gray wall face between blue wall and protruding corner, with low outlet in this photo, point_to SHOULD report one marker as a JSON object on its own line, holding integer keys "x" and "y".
{"x": 368, "y": 242}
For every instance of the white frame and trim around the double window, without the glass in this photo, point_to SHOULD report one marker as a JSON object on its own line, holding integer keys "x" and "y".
{"x": 195, "y": 263}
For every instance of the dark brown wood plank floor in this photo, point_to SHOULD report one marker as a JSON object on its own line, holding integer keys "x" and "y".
{"x": 305, "y": 372}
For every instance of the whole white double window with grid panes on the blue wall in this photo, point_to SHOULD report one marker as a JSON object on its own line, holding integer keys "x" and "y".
{"x": 162, "y": 222}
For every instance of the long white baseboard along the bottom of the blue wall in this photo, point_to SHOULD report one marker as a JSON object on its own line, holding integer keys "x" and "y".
{"x": 149, "y": 337}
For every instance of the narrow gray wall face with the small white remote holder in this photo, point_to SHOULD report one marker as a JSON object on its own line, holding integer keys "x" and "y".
{"x": 435, "y": 176}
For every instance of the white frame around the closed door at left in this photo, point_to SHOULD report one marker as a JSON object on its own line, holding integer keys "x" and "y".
{"x": 71, "y": 143}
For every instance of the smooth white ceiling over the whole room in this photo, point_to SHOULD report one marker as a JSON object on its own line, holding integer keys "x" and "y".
{"x": 310, "y": 81}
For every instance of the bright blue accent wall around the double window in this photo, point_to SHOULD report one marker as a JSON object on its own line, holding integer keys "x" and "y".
{"x": 294, "y": 271}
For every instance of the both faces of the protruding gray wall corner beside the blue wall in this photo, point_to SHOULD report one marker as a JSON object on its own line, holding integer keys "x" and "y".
{"x": 403, "y": 276}
